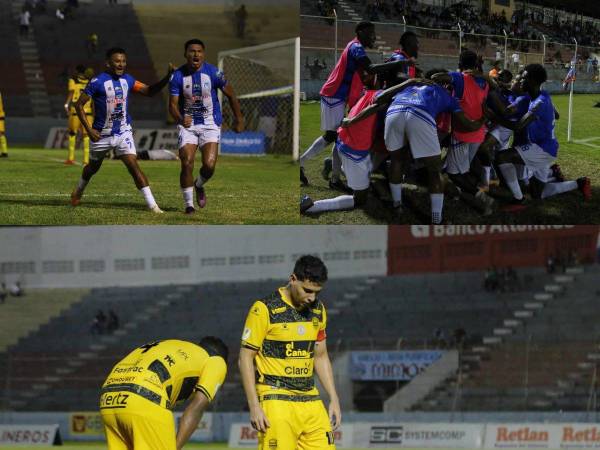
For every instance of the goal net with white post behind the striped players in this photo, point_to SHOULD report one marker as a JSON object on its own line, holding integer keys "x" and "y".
{"x": 266, "y": 81}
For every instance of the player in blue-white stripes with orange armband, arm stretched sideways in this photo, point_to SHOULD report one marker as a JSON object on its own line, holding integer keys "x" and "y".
{"x": 111, "y": 129}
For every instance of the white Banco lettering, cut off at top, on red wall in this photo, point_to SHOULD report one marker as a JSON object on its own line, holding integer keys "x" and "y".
{"x": 425, "y": 231}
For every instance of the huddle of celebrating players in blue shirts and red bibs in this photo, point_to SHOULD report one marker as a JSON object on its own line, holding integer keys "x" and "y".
{"x": 398, "y": 121}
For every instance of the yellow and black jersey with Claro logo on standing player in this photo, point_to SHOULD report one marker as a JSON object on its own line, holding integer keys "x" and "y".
{"x": 285, "y": 340}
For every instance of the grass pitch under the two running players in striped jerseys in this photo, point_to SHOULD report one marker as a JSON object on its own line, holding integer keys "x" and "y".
{"x": 36, "y": 188}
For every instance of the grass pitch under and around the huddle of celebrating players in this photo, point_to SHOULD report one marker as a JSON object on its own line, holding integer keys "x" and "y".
{"x": 579, "y": 158}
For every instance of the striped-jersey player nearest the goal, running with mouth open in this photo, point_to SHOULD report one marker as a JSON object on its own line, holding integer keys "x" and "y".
{"x": 194, "y": 104}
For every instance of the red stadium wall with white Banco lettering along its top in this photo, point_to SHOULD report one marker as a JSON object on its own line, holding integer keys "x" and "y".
{"x": 443, "y": 248}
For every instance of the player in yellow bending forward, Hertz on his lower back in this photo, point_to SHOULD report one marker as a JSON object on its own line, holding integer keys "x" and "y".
{"x": 140, "y": 391}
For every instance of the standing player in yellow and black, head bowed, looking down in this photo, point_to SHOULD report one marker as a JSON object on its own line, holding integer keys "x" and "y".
{"x": 283, "y": 341}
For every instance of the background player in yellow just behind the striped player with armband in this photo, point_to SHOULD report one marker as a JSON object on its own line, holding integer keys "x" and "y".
{"x": 76, "y": 85}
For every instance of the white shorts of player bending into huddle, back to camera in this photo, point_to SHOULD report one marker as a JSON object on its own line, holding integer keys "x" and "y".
{"x": 413, "y": 125}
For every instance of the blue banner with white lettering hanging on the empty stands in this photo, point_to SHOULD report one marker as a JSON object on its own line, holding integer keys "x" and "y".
{"x": 391, "y": 365}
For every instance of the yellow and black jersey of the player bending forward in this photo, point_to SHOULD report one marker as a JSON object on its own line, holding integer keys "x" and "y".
{"x": 166, "y": 372}
